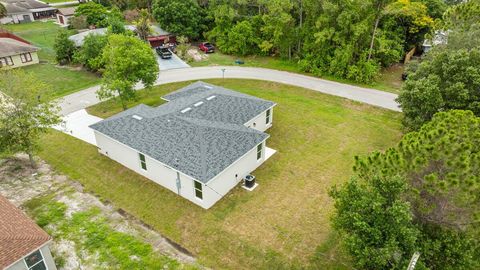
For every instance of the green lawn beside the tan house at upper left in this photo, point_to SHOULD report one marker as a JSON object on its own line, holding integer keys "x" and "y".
{"x": 63, "y": 80}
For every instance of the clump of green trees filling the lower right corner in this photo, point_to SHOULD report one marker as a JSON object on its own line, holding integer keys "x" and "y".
{"x": 434, "y": 175}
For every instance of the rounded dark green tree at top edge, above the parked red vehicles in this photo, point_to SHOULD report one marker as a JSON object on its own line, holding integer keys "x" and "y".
{"x": 181, "y": 17}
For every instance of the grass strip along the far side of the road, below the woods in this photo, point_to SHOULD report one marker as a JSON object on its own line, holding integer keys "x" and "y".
{"x": 389, "y": 79}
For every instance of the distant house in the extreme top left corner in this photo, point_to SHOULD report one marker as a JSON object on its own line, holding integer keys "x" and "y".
{"x": 21, "y": 11}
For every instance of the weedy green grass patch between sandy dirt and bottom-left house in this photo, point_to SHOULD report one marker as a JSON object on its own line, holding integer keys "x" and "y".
{"x": 92, "y": 234}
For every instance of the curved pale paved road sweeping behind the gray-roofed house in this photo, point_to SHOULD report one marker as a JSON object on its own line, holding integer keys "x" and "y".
{"x": 87, "y": 97}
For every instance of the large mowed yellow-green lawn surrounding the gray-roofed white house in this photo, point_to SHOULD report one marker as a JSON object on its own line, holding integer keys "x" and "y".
{"x": 285, "y": 222}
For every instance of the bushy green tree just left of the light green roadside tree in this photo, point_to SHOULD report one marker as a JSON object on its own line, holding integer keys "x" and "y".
{"x": 90, "y": 54}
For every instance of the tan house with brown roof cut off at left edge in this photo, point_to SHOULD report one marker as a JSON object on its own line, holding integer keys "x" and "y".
{"x": 16, "y": 52}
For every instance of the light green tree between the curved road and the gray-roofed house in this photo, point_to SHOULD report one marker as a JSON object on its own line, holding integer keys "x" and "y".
{"x": 128, "y": 60}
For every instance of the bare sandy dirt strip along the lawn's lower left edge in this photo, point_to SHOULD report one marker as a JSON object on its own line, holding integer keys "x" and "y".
{"x": 20, "y": 183}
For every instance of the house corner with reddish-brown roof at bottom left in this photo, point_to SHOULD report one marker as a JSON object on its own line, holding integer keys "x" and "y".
{"x": 23, "y": 244}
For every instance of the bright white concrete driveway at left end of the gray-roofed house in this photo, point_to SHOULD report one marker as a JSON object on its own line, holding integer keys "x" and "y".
{"x": 76, "y": 125}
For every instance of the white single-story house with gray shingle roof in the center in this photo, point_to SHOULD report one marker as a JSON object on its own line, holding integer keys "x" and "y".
{"x": 200, "y": 144}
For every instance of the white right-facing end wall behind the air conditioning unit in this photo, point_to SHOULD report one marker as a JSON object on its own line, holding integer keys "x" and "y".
{"x": 219, "y": 186}
